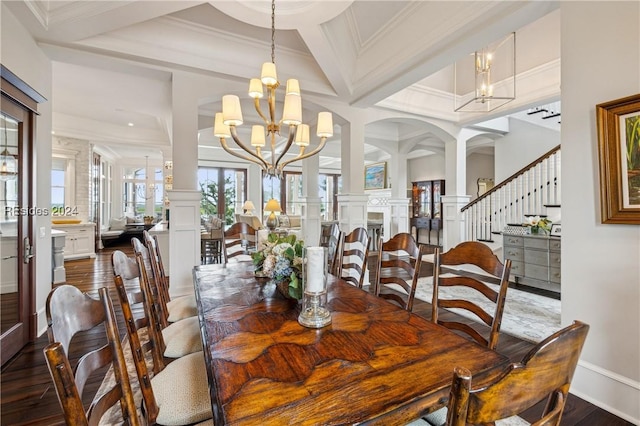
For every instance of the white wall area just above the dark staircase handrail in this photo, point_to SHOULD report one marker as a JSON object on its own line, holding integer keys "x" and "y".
{"x": 524, "y": 143}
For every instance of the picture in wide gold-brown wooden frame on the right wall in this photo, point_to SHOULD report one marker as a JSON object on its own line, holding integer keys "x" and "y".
{"x": 619, "y": 151}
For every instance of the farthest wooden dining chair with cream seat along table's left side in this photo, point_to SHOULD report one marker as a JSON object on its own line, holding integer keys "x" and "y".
{"x": 175, "y": 308}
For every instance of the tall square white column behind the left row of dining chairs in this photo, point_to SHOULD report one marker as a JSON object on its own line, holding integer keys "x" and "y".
{"x": 184, "y": 199}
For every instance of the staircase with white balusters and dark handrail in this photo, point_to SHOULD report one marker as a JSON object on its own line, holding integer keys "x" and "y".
{"x": 534, "y": 190}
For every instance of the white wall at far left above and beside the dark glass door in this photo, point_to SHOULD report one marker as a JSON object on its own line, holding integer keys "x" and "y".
{"x": 21, "y": 55}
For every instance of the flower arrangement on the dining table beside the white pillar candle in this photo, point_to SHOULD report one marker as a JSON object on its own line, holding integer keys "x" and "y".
{"x": 280, "y": 258}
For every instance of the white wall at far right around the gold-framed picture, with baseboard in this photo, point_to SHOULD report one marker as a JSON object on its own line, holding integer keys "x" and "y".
{"x": 600, "y": 263}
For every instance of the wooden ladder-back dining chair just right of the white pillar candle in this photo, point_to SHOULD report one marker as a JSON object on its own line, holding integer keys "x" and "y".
{"x": 354, "y": 253}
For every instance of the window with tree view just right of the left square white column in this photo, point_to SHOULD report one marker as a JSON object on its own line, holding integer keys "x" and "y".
{"x": 223, "y": 192}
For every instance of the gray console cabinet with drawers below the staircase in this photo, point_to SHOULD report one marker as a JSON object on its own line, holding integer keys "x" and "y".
{"x": 535, "y": 260}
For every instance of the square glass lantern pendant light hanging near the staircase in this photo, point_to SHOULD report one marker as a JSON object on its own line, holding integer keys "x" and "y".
{"x": 485, "y": 80}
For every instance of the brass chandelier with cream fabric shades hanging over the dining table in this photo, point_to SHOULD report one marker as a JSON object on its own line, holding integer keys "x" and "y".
{"x": 225, "y": 123}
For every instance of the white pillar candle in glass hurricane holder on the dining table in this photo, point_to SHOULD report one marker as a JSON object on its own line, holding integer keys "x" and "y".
{"x": 314, "y": 313}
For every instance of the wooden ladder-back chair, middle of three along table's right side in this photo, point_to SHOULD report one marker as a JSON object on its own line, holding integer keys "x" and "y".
{"x": 399, "y": 262}
